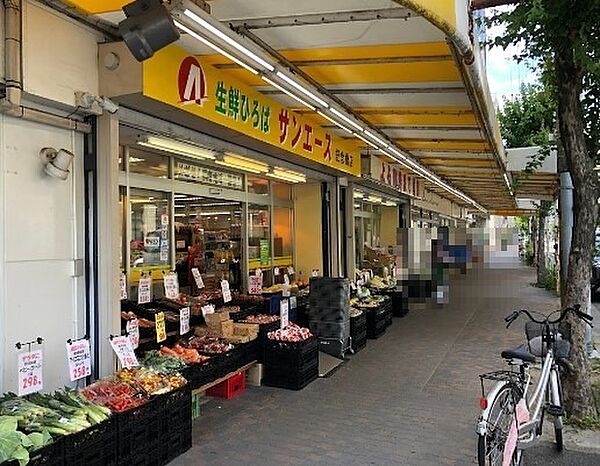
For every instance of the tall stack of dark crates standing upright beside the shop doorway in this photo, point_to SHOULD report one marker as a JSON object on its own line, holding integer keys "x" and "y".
{"x": 329, "y": 313}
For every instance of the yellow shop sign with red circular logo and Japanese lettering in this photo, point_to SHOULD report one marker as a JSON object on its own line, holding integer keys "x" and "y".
{"x": 178, "y": 79}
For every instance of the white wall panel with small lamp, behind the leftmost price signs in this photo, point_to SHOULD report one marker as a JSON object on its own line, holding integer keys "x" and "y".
{"x": 42, "y": 226}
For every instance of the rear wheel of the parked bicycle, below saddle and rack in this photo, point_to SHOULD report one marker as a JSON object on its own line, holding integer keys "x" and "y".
{"x": 490, "y": 446}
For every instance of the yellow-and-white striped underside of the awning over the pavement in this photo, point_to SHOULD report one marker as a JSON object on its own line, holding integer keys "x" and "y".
{"x": 393, "y": 66}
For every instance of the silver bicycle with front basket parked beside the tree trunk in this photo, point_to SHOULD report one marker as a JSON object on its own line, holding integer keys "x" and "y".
{"x": 511, "y": 419}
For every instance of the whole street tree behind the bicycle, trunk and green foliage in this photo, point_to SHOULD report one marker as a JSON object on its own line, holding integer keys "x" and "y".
{"x": 563, "y": 38}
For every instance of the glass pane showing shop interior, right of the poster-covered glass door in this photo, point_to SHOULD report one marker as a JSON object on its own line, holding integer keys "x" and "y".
{"x": 208, "y": 237}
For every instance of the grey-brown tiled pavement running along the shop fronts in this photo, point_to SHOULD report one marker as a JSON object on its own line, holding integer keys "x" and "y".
{"x": 409, "y": 398}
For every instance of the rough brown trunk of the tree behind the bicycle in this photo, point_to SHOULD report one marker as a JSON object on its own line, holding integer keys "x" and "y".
{"x": 577, "y": 384}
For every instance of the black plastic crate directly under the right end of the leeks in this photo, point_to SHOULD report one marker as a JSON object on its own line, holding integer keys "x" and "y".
{"x": 96, "y": 446}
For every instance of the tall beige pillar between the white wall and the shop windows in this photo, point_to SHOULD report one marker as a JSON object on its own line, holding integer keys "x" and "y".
{"x": 109, "y": 226}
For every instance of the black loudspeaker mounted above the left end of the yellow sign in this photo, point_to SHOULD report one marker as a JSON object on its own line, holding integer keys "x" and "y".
{"x": 147, "y": 28}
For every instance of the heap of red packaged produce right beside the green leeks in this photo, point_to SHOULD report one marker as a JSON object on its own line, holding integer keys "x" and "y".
{"x": 116, "y": 396}
